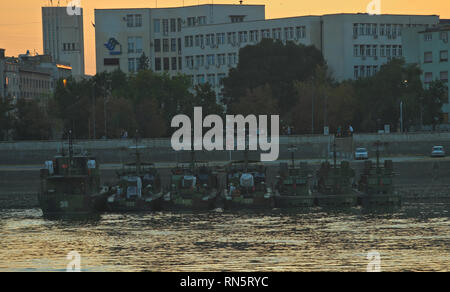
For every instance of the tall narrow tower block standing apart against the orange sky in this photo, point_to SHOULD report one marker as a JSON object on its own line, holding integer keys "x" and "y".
{"x": 63, "y": 37}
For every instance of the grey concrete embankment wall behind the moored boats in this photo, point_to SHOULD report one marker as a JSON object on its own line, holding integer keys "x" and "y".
{"x": 159, "y": 150}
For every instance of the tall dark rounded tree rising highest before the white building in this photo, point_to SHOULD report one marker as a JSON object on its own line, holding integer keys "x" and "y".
{"x": 273, "y": 63}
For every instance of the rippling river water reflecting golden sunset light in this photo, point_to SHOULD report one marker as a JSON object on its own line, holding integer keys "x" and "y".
{"x": 415, "y": 237}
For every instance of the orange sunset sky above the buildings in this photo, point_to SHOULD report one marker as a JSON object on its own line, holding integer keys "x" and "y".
{"x": 21, "y": 21}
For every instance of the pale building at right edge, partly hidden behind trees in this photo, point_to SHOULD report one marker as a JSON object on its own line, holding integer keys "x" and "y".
{"x": 429, "y": 49}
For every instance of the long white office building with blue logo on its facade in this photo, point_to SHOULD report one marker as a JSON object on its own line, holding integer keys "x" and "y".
{"x": 203, "y": 41}
